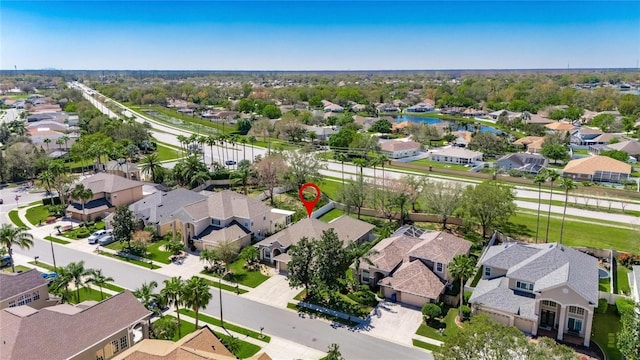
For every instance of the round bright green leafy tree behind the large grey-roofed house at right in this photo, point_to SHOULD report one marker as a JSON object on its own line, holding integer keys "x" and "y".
{"x": 489, "y": 204}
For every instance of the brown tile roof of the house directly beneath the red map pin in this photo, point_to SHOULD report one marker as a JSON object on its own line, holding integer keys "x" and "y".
{"x": 347, "y": 228}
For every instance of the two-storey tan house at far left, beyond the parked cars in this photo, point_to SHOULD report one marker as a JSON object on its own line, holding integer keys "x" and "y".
{"x": 109, "y": 192}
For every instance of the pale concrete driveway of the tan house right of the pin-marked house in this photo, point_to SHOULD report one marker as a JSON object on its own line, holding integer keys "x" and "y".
{"x": 393, "y": 322}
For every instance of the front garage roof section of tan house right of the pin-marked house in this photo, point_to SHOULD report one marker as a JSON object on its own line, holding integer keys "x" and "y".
{"x": 415, "y": 278}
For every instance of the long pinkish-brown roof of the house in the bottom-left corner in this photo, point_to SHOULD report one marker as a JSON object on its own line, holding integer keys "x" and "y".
{"x": 52, "y": 334}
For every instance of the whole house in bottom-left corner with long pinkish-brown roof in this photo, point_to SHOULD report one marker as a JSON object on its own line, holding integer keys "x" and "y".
{"x": 88, "y": 330}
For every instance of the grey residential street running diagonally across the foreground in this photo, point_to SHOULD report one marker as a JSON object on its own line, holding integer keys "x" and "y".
{"x": 286, "y": 324}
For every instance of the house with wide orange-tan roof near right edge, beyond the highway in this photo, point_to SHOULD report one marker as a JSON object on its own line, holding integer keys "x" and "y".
{"x": 597, "y": 169}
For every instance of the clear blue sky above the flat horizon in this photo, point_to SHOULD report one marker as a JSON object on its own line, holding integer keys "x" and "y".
{"x": 318, "y": 35}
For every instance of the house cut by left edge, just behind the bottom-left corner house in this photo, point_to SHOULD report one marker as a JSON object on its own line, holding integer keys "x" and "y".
{"x": 25, "y": 288}
